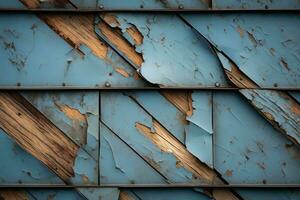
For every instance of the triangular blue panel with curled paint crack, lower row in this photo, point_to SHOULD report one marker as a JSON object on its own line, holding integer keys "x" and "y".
{"x": 119, "y": 164}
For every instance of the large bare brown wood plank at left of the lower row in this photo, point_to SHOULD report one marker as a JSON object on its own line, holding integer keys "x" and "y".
{"x": 37, "y": 135}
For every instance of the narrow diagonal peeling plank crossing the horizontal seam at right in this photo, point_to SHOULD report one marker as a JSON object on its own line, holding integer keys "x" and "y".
{"x": 281, "y": 110}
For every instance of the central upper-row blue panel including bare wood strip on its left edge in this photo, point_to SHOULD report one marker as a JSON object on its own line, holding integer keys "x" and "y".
{"x": 196, "y": 67}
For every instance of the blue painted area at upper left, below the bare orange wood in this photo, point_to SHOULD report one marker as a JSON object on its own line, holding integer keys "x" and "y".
{"x": 29, "y": 50}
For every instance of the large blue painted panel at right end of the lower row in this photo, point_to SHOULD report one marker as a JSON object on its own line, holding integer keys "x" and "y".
{"x": 247, "y": 148}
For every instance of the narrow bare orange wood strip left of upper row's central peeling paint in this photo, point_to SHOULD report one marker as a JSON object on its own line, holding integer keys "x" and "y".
{"x": 121, "y": 44}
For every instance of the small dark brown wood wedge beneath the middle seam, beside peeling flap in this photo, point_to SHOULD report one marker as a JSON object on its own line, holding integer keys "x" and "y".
{"x": 181, "y": 100}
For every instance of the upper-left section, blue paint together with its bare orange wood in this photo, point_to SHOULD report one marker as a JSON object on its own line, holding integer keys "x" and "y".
{"x": 64, "y": 66}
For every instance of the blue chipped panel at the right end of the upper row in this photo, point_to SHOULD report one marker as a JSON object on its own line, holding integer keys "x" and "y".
{"x": 267, "y": 51}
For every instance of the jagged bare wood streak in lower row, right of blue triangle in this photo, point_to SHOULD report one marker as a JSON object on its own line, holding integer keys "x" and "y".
{"x": 167, "y": 143}
